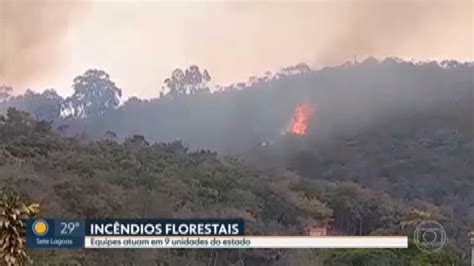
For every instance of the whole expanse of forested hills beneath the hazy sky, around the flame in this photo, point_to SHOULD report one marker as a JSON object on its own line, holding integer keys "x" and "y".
{"x": 391, "y": 144}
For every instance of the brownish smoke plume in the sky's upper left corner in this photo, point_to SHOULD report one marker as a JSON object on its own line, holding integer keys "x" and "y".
{"x": 31, "y": 37}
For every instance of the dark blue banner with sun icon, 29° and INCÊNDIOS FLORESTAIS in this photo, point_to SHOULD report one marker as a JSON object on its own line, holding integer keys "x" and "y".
{"x": 68, "y": 233}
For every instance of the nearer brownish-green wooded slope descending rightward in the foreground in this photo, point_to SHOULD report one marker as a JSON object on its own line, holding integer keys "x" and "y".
{"x": 73, "y": 178}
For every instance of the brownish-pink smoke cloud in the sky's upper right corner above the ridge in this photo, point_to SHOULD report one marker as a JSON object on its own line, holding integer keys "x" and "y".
{"x": 399, "y": 28}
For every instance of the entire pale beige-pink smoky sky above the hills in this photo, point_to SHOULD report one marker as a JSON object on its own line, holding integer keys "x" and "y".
{"x": 46, "y": 43}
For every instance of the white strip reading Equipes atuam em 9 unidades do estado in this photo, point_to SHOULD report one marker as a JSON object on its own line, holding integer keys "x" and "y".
{"x": 246, "y": 242}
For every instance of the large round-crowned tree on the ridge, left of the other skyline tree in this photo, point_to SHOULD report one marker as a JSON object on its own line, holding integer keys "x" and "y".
{"x": 94, "y": 95}
